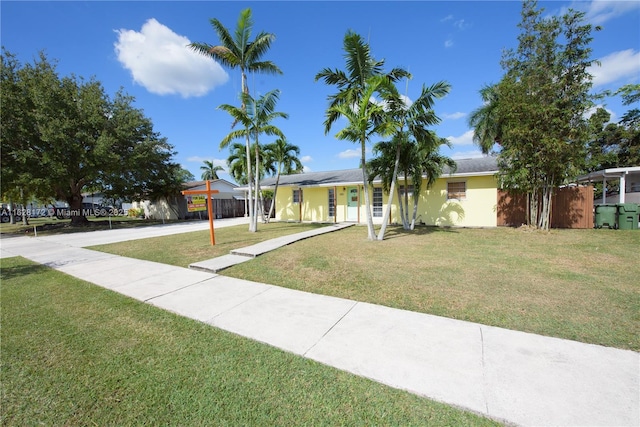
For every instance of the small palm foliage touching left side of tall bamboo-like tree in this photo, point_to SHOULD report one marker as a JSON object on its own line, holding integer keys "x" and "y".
{"x": 485, "y": 120}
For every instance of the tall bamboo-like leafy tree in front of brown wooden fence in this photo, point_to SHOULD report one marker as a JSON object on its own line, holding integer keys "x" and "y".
{"x": 541, "y": 104}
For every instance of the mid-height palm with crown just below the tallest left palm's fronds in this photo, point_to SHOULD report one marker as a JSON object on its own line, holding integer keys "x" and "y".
{"x": 256, "y": 118}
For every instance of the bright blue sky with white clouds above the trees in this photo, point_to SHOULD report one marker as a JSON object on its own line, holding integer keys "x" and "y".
{"x": 140, "y": 46}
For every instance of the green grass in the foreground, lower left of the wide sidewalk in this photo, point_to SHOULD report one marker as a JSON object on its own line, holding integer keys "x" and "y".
{"x": 76, "y": 354}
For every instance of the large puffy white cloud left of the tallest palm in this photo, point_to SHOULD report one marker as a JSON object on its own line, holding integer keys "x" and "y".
{"x": 160, "y": 60}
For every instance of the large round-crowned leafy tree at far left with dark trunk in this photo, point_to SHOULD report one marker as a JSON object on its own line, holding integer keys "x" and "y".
{"x": 73, "y": 136}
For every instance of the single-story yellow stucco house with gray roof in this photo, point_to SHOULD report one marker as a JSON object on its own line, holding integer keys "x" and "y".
{"x": 466, "y": 197}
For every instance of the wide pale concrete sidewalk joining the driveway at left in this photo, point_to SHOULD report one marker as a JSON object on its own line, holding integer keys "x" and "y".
{"x": 513, "y": 376}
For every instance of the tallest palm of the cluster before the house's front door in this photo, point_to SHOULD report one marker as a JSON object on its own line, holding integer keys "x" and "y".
{"x": 363, "y": 79}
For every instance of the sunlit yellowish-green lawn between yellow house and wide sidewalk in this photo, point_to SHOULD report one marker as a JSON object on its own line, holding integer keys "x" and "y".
{"x": 576, "y": 284}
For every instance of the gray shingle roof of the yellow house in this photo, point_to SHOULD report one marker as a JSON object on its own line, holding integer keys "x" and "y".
{"x": 481, "y": 166}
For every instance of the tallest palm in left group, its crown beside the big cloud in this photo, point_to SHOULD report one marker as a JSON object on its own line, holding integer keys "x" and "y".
{"x": 238, "y": 51}
